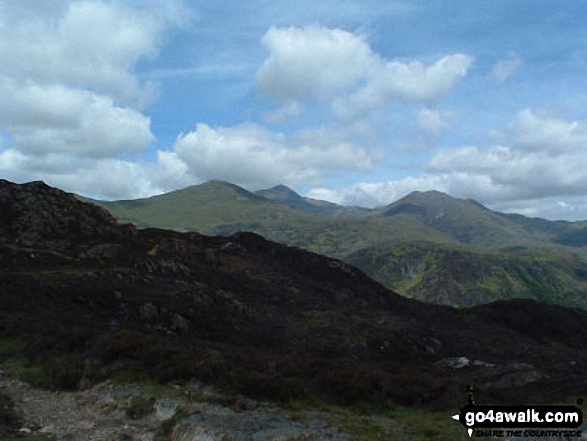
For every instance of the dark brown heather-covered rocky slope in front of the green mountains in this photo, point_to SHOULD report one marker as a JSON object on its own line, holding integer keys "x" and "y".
{"x": 256, "y": 316}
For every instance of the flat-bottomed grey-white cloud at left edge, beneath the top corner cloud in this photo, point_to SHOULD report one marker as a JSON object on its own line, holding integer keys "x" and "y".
{"x": 53, "y": 119}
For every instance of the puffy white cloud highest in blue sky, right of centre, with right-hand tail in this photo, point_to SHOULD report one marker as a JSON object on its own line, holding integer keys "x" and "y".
{"x": 339, "y": 67}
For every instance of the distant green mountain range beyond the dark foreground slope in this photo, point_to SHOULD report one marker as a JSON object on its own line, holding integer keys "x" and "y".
{"x": 427, "y": 245}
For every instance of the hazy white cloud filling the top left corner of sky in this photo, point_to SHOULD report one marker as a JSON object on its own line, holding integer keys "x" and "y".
{"x": 82, "y": 44}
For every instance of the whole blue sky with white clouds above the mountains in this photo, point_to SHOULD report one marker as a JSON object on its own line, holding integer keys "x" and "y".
{"x": 354, "y": 102}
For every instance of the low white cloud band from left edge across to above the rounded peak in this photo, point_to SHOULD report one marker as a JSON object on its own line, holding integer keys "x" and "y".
{"x": 248, "y": 155}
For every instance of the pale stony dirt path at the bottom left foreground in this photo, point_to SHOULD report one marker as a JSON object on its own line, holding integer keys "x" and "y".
{"x": 100, "y": 414}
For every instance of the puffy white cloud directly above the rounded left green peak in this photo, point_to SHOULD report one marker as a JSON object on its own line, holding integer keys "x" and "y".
{"x": 255, "y": 157}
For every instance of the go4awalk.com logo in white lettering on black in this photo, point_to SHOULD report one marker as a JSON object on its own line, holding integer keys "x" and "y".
{"x": 528, "y": 421}
